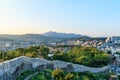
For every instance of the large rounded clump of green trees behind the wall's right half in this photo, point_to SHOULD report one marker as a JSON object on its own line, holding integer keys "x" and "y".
{"x": 87, "y": 56}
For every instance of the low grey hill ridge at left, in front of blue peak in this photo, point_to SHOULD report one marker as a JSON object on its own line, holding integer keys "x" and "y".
{"x": 28, "y": 37}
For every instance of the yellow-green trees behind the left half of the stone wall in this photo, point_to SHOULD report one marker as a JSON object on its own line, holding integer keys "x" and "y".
{"x": 32, "y": 51}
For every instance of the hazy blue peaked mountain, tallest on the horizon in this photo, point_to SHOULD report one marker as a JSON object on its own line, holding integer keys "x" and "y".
{"x": 61, "y": 35}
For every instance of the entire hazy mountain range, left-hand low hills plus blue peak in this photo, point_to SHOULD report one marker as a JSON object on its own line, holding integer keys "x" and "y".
{"x": 46, "y": 37}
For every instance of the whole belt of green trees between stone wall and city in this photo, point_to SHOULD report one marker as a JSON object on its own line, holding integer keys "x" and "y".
{"x": 87, "y": 56}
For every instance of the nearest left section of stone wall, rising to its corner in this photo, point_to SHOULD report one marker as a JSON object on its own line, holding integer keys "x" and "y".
{"x": 12, "y": 68}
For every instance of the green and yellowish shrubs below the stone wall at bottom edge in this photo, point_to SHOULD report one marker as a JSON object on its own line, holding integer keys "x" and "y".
{"x": 58, "y": 74}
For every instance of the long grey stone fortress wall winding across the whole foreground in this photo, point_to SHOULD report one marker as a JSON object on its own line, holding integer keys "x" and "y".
{"x": 12, "y": 68}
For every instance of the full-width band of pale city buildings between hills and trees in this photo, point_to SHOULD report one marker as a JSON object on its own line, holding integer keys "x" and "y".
{"x": 109, "y": 44}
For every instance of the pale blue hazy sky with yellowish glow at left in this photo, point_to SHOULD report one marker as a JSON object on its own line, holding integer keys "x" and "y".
{"x": 88, "y": 17}
